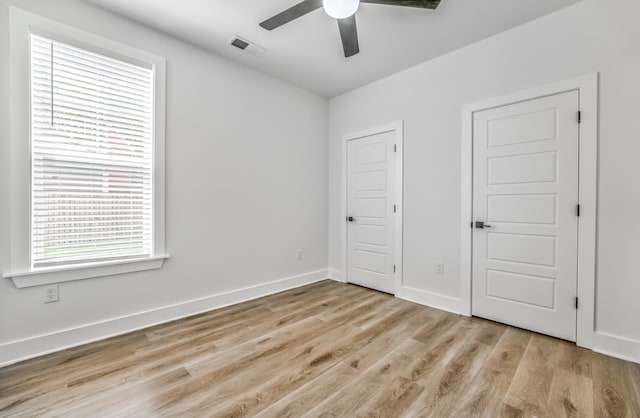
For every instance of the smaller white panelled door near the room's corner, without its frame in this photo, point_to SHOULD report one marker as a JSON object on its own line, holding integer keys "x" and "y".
{"x": 370, "y": 211}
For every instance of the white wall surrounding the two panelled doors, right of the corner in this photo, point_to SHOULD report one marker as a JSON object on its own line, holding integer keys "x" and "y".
{"x": 590, "y": 36}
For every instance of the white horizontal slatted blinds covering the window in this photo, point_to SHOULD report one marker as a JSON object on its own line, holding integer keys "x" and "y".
{"x": 91, "y": 138}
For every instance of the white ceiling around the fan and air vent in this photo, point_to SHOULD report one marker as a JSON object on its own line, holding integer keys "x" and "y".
{"x": 308, "y": 52}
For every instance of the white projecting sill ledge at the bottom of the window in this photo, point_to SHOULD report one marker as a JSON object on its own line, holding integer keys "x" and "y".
{"x": 85, "y": 271}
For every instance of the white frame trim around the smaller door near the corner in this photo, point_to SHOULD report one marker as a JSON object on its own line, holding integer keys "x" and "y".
{"x": 398, "y": 128}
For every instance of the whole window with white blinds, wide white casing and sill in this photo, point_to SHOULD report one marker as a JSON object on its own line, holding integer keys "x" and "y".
{"x": 94, "y": 148}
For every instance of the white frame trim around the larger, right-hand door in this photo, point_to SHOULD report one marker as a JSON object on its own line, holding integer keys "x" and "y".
{"x": 587, "y": 87}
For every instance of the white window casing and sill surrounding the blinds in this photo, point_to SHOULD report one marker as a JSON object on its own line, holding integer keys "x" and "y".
{"x": 22, "y": 25}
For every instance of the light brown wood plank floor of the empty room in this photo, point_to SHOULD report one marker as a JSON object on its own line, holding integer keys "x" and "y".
{"x": 327, "y": 349}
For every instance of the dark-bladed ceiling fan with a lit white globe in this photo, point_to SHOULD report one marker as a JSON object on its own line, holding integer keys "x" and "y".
{"x": 344, "y": 12}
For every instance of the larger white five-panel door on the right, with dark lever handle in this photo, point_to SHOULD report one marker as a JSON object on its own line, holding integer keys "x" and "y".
{"x": 525, "y": 190}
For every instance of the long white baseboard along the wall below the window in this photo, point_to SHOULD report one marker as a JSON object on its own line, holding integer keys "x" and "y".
{"x": 20, "y": 350}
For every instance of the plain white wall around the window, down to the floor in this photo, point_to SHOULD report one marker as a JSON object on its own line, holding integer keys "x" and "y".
{"x": 246, "y": 187}
